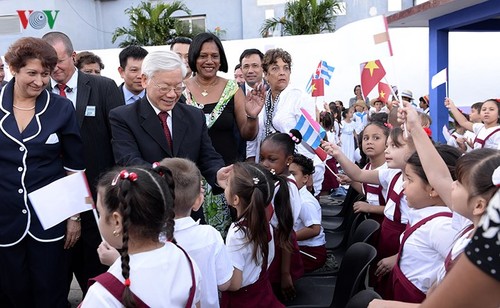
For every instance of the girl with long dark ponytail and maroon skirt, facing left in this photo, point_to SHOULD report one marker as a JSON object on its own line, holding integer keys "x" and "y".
{"x": 250, "y": 241}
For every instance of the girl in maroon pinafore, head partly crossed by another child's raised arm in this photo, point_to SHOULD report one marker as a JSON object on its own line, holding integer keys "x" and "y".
{"x": 429, "y": 236}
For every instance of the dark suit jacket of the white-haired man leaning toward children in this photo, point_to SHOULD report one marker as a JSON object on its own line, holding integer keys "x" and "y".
{"x": 138, "y": 137}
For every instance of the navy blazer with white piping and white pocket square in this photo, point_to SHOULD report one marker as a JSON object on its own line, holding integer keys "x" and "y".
{"x": 48, "y": 147}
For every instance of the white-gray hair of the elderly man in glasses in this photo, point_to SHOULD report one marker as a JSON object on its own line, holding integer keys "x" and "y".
{"x": 165, "y": 60}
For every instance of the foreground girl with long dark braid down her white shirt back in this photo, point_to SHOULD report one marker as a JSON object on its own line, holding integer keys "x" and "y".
{"x": 135, "y": 206}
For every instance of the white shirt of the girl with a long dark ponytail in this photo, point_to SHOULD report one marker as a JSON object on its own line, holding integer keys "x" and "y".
{"x": 240, "y": 252}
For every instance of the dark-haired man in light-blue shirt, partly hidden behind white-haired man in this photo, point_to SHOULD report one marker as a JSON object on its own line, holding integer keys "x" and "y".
{"x": 130, "y": 70}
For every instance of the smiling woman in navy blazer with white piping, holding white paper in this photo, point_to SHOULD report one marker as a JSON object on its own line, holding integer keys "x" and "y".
{"x": 40, "y": 143}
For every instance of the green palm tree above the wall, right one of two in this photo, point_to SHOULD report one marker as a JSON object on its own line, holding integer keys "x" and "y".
{"x": 304, "y": 17}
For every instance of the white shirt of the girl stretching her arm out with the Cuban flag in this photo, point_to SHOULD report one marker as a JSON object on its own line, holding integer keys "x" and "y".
{"x": 385, "y": 177}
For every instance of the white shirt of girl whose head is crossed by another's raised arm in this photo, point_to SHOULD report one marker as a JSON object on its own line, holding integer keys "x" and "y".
{"x": 425, "y": 251}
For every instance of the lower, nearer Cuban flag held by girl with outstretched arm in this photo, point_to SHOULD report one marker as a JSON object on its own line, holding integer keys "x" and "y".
{"x": 312, "y": 133}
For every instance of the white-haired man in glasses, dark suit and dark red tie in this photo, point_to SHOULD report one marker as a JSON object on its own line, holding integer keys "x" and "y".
{"x": 157, "y": 126}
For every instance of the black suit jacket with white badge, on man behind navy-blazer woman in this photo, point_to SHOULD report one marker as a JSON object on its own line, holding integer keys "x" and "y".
{"x": 95, "y": 97}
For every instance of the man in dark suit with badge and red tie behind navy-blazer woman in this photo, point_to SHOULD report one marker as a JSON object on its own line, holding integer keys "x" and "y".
{"x": 93, "y": 97}
